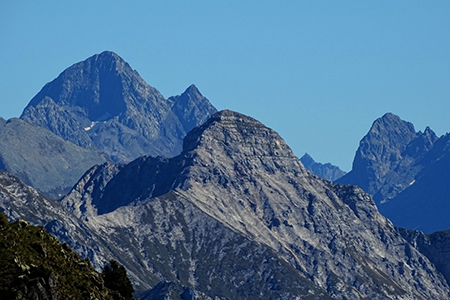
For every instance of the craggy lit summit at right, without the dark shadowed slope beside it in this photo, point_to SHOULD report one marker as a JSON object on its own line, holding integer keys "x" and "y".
{"x": 387, "y": 160}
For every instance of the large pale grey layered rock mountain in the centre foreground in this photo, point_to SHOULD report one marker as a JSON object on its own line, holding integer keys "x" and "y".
{"x": 236, "y": 215}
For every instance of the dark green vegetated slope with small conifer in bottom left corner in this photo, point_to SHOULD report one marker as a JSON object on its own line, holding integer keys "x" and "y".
{"x": 35, "y": 265}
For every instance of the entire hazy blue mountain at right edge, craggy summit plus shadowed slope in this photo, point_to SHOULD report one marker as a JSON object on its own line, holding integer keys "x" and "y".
{"x": 406, "y": 172}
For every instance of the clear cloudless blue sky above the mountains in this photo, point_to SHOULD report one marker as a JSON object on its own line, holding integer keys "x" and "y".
{"x": 317, "y": 72}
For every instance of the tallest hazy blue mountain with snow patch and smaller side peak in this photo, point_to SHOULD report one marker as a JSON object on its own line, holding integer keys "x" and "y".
{"x": 103, "y": 103}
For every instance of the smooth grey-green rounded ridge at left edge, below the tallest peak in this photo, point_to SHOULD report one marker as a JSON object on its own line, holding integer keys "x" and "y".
{"x": 42, "y": 159}
